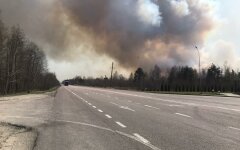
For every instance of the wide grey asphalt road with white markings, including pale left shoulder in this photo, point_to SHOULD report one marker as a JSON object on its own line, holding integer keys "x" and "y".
{"x": 87, "y": 118}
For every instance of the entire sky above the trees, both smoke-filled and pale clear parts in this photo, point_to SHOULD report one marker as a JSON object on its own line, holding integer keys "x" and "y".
{"x": 84, "y": 37}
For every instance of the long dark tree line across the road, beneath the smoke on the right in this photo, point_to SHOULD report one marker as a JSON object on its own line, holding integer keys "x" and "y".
{"x": 177, "y": 79}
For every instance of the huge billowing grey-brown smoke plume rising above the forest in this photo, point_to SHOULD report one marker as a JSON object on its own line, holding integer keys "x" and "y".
{"x": 132, "y": 32}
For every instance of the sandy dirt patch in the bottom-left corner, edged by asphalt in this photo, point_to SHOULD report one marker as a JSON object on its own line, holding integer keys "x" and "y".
{"x": 15, "y": 137}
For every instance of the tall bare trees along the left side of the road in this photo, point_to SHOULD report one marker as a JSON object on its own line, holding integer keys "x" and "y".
{"x": 23, "y": 64}
